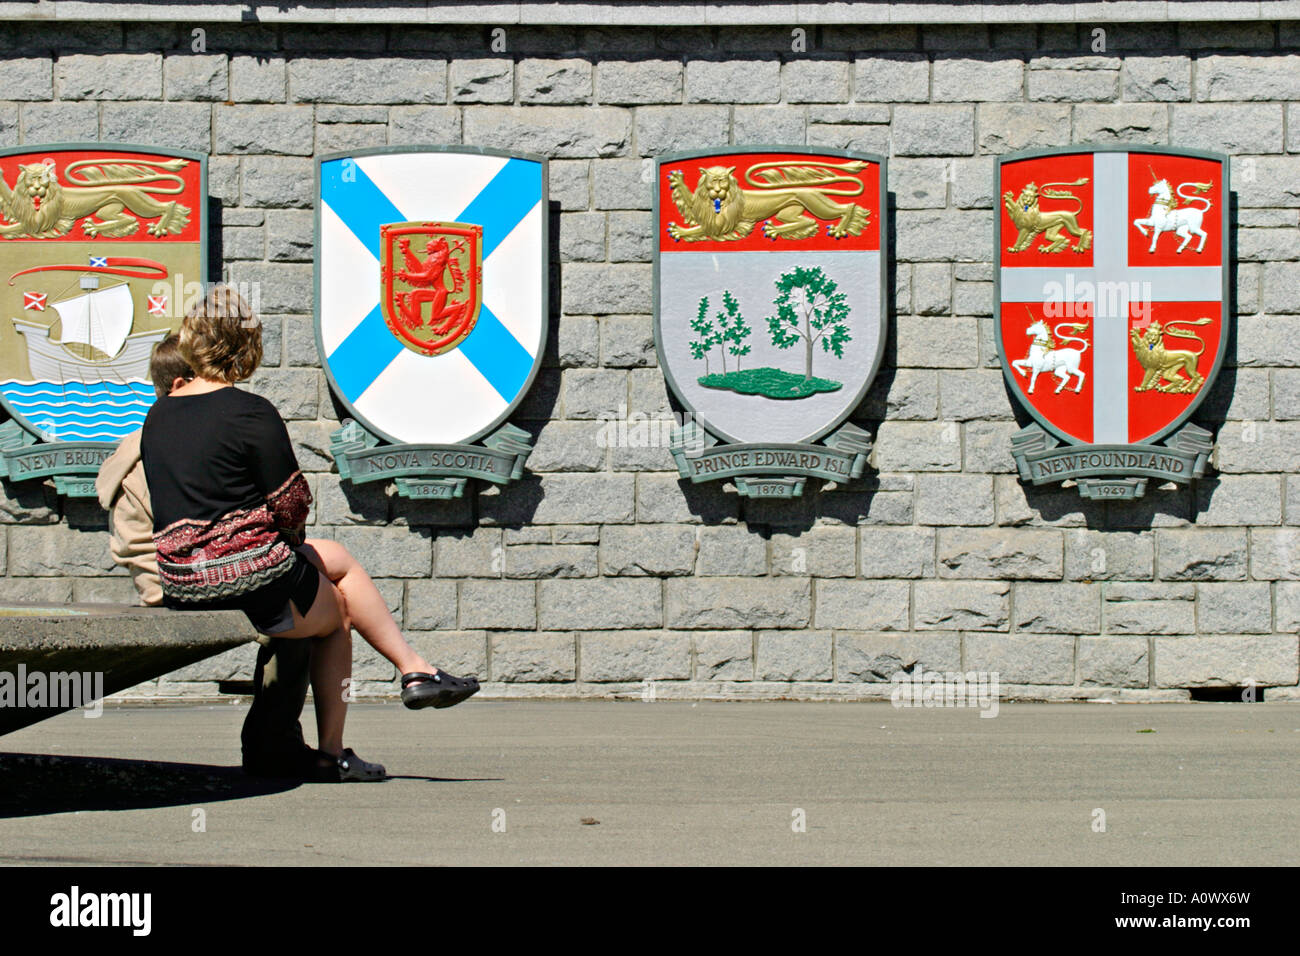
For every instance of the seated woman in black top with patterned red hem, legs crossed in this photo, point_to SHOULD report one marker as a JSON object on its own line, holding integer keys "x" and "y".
{"x": 229, "y": 509}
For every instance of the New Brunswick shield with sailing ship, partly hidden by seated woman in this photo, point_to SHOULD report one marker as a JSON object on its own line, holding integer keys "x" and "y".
{"x": 84, "y": 306}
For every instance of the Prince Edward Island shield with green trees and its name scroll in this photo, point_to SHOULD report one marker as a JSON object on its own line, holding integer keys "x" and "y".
{"x": 770, "y": 315}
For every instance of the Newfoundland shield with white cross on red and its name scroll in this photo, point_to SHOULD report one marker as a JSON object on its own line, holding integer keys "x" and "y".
{"x": 1112, "y": 314}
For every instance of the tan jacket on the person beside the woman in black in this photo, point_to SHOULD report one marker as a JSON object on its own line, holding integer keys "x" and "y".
{"x": 124, "y": 494}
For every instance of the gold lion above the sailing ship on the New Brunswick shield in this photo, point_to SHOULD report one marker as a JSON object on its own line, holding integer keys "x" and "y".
{"x": 40, "y": 206}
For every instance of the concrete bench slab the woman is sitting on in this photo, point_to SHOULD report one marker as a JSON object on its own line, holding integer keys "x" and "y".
{"x": 123, "y": 644}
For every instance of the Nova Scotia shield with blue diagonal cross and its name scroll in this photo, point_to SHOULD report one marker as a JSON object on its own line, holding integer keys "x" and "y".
{"x": 431, "y": 312}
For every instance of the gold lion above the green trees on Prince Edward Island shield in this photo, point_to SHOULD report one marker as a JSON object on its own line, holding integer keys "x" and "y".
{"x": 785, "y": 193}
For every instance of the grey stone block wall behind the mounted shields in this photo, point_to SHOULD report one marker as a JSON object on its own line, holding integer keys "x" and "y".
{"x": 601, "y": 573}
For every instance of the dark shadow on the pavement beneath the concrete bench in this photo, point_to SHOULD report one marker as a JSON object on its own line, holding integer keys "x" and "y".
{"x": 34, "y": 784}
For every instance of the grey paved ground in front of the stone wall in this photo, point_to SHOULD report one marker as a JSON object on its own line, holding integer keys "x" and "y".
{"x": 675, "y": 784}
